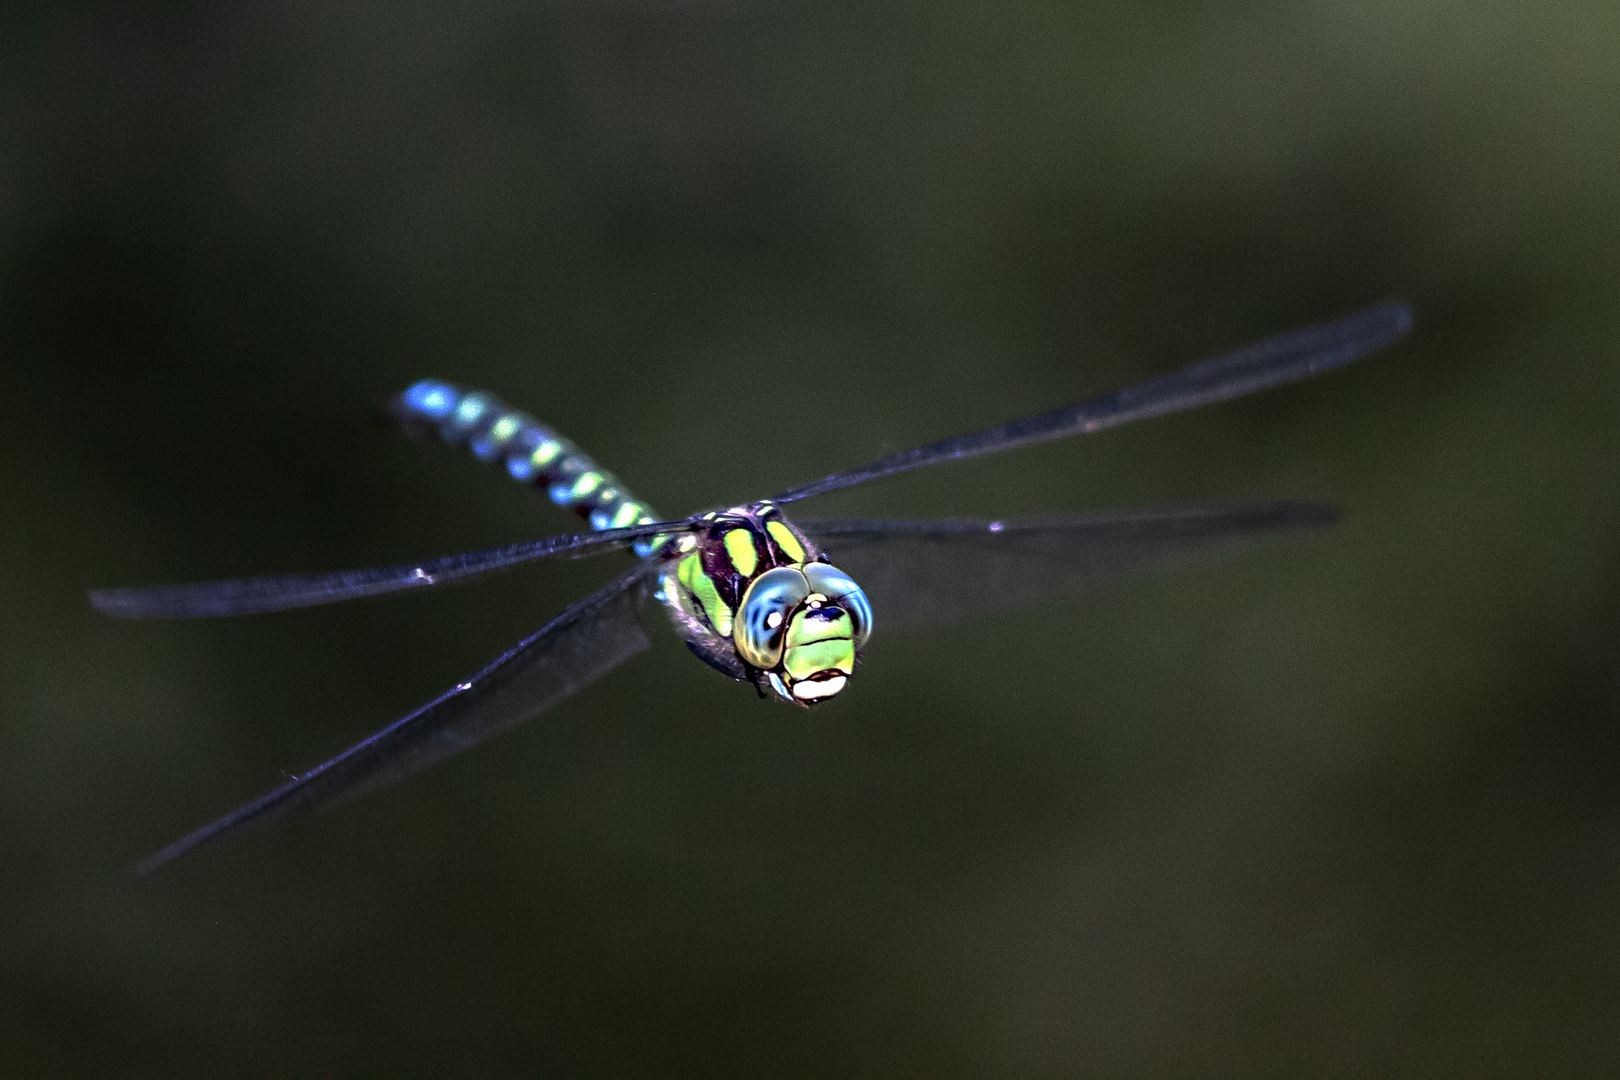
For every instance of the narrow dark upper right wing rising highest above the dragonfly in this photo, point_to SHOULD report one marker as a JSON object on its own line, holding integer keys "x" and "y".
{"x": 1258, "y": 367}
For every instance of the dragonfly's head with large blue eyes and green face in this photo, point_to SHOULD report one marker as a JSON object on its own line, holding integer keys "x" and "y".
{"x": 803, "y": 627}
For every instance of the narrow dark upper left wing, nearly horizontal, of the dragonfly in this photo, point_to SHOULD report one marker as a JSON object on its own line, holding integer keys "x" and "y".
{"x": 249, "y": 597}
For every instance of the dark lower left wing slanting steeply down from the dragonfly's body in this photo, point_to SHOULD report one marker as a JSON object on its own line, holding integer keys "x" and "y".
{"x": 565, "y": 657}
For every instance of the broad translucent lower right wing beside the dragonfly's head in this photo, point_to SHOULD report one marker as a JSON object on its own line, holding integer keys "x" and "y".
{"x": 932, "y": 574}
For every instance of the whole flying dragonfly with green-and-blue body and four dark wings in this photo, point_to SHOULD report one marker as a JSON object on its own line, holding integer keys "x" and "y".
{"x": 751, "y": 592}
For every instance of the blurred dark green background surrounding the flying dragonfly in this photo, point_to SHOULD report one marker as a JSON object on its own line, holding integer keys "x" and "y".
{"x": 1344, "y": 804}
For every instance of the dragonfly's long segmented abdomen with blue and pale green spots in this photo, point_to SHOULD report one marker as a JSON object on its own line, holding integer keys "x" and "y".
{"x": 527, "y": 449}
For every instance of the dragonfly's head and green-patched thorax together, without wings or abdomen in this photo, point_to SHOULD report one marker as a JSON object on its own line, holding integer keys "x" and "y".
{"x": 757, "y": 602}
